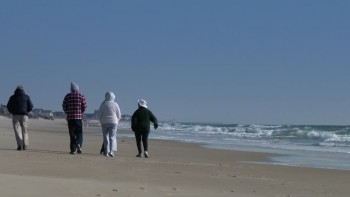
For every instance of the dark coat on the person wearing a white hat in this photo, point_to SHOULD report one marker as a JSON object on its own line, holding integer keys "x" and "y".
{"x": 140, "y": 120}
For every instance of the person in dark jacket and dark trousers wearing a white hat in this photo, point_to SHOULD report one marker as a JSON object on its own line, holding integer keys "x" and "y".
{"x": 140, "y": 124}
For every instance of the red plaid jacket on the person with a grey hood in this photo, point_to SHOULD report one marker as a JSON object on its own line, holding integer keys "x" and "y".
{"x": 74, "y": 105}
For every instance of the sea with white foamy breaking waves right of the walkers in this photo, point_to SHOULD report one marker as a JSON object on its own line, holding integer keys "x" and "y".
{"x": 276, "y": 137}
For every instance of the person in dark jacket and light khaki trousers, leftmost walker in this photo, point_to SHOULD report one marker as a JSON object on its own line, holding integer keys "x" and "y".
{"x": 19, "y": 105}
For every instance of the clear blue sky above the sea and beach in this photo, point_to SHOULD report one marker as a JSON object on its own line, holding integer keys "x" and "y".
{"x": 246, "y": 62}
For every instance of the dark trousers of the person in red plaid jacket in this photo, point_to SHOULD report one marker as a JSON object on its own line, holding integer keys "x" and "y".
{"x": 75, "y": 133}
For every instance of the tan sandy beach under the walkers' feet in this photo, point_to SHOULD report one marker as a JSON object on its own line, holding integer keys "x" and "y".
{"x": 173, "y": 169}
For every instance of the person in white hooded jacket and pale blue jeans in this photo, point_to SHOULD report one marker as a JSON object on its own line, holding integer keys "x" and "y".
{"x": 109, "y": 116}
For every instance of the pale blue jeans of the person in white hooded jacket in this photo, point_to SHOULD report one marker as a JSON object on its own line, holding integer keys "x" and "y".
{"x": 109, "y": 131}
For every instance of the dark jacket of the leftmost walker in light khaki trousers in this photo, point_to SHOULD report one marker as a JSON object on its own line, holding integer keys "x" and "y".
{"x": 19, "y": 103}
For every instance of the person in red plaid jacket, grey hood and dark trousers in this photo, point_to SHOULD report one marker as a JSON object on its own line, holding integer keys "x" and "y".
{"x": 74, "y": 105}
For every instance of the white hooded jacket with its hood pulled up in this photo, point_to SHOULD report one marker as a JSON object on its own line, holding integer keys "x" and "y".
{"x": 109, "y": 111}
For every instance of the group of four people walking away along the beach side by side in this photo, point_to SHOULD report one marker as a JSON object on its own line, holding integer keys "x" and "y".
{"x": 74, "y": 106}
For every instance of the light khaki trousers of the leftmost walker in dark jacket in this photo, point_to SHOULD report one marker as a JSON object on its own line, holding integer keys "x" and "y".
{"x": 20, "y": 125}
